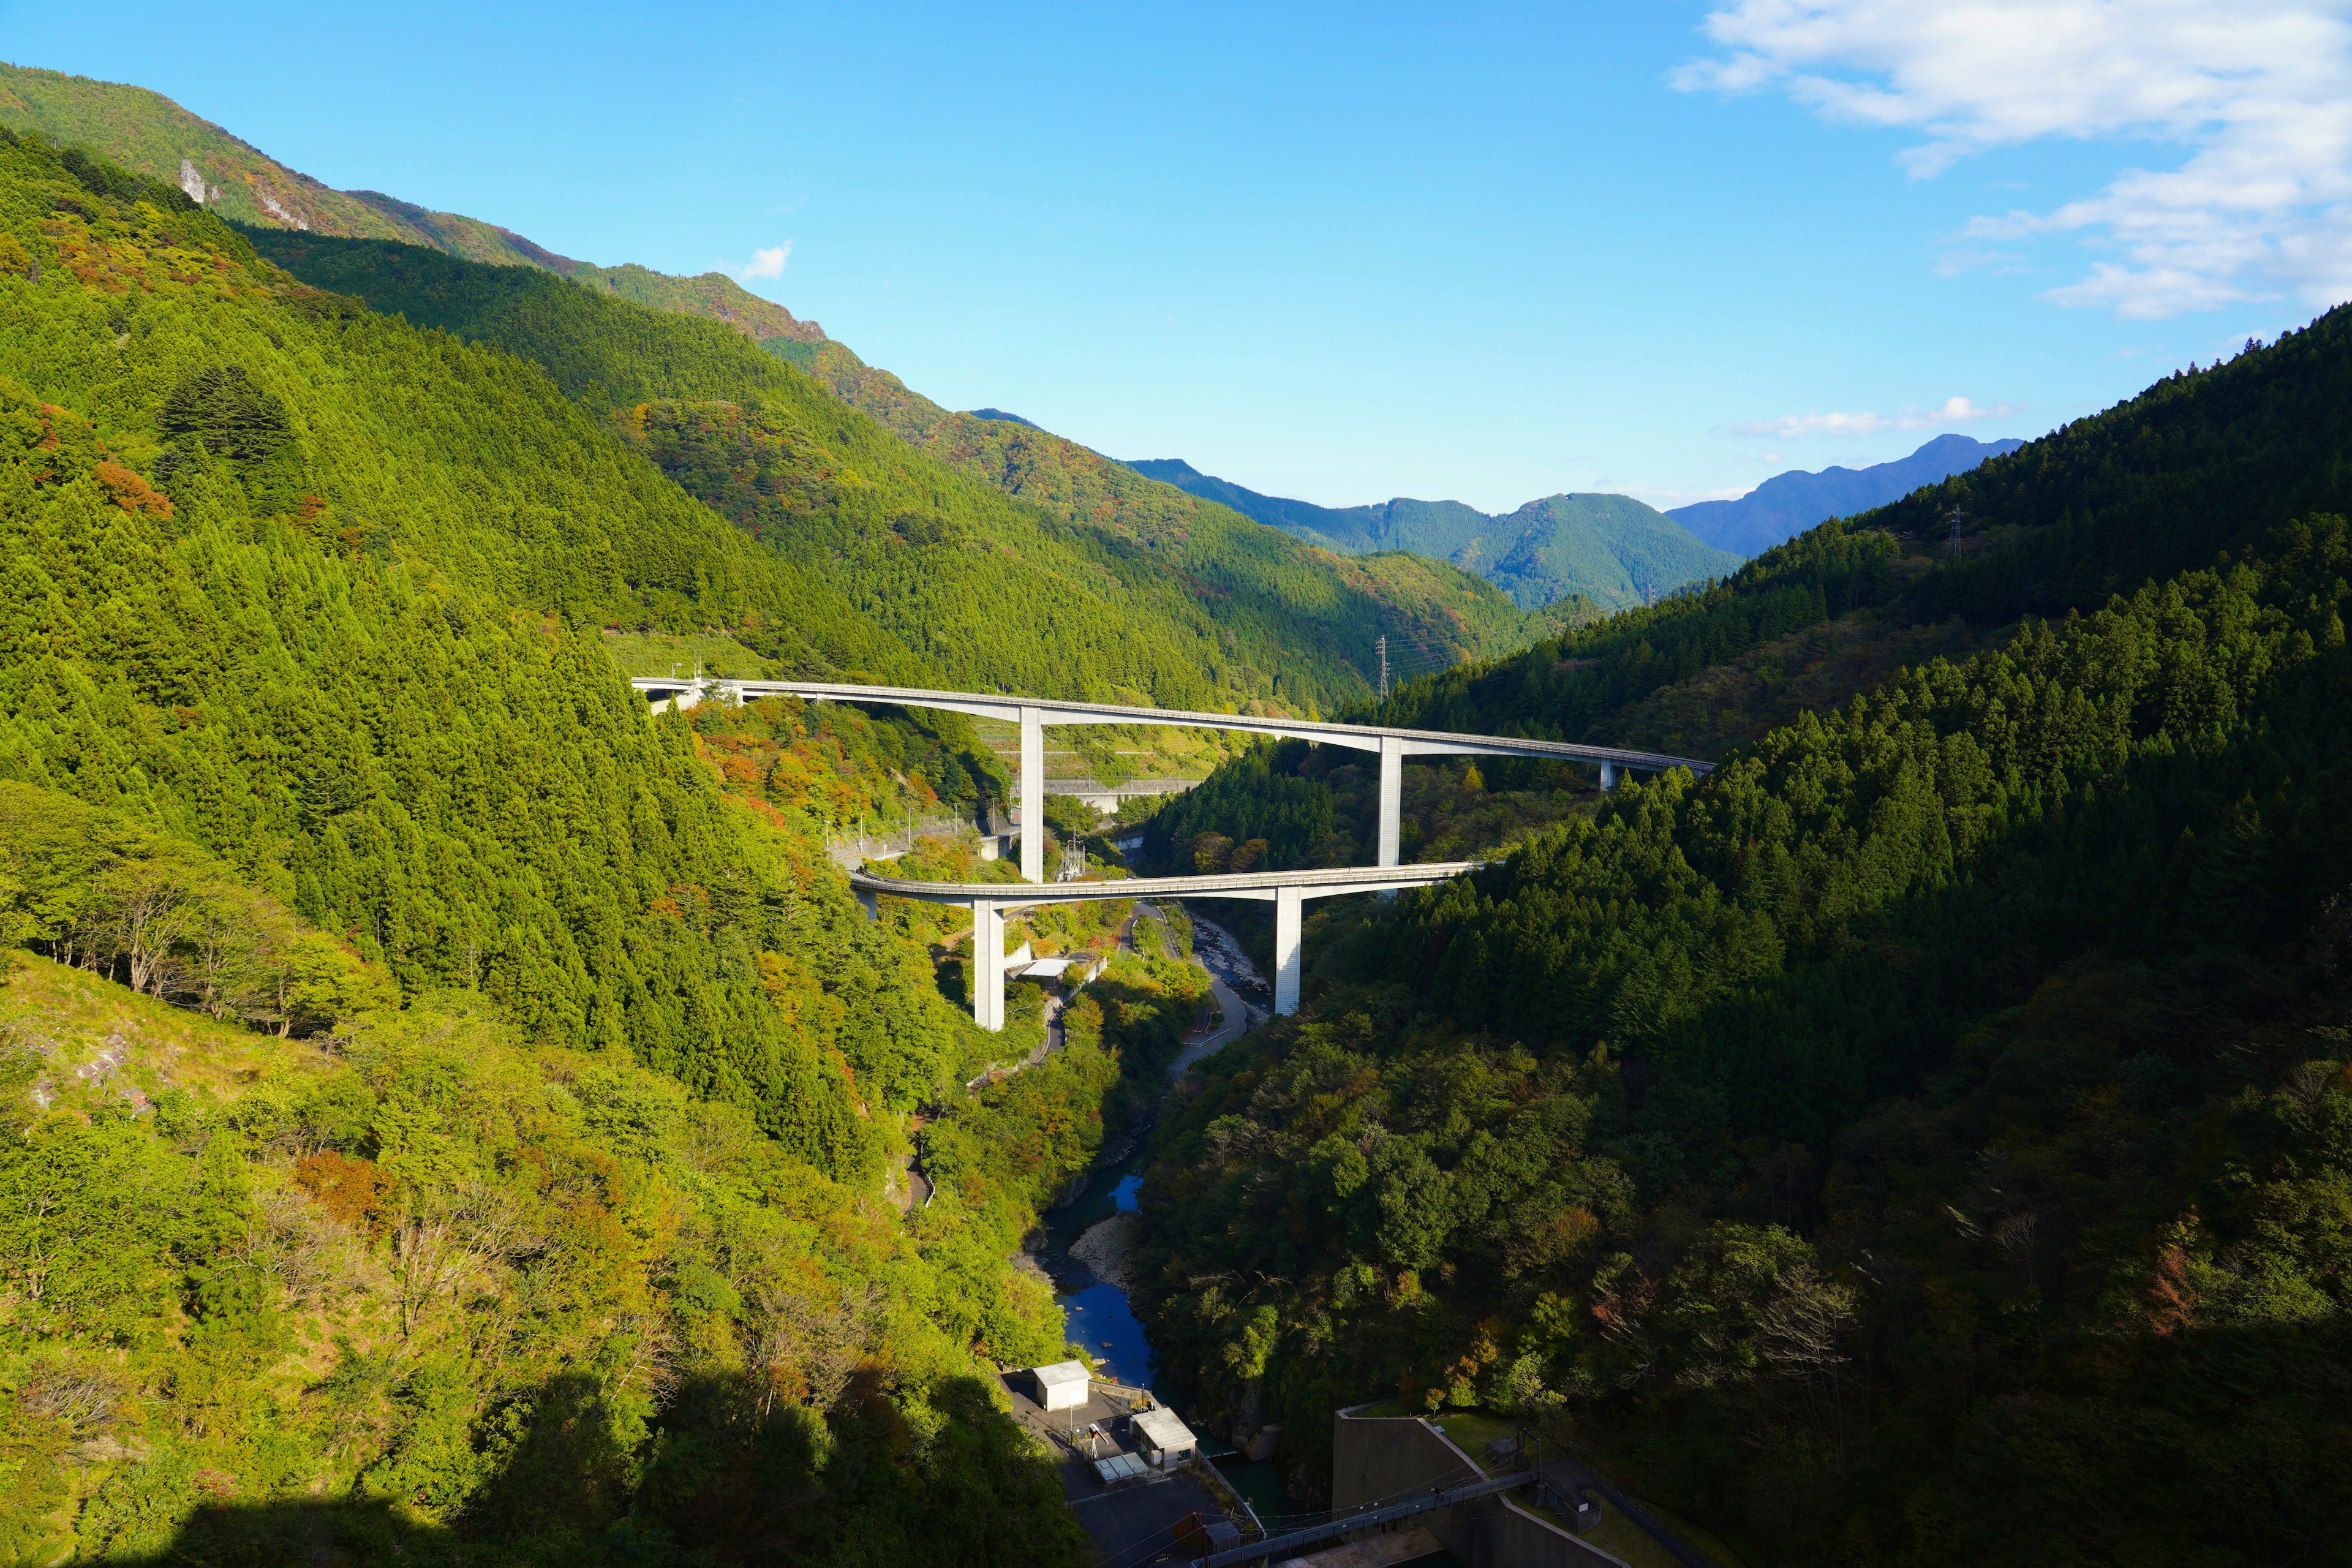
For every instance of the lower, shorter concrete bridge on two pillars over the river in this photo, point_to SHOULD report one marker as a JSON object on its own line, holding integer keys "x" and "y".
{"x": 1288, "y": 892}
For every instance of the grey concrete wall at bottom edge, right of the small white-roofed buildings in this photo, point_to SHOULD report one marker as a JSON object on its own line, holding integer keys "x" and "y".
{"x": 1377, "y": 1459}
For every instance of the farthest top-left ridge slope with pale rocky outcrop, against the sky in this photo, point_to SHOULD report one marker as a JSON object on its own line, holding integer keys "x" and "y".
{"x": 156, "y": 138}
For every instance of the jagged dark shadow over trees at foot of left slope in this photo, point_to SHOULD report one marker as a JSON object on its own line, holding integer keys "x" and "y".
{"x": 728, "y": 1475}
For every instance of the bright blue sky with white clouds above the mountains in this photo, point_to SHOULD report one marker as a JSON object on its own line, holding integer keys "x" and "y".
{"x": 1354, "y": 253}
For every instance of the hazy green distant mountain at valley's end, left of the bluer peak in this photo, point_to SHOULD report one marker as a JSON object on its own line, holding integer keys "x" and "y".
{"x": 1605, "y": 549}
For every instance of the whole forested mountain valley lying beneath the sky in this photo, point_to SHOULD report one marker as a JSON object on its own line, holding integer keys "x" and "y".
{"x": 457, "y": 1111}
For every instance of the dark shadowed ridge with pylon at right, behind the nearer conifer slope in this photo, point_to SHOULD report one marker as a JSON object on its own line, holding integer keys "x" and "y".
{"x": 2203, "y": 462}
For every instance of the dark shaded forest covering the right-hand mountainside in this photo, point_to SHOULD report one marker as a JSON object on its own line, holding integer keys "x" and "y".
{"x": 1930, "y": 1137}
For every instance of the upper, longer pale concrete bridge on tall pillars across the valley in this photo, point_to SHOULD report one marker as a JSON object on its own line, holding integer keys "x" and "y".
{"x": 1394, "y": 746}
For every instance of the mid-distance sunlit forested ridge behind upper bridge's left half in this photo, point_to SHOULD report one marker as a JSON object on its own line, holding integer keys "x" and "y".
{"x": 980, "y": 587}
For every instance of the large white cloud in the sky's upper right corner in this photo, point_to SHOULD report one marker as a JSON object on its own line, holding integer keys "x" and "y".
{"x": 2254, "y": 93}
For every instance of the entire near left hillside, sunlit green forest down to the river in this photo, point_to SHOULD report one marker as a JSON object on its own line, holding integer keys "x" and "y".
{"x": 450, "y": 1115}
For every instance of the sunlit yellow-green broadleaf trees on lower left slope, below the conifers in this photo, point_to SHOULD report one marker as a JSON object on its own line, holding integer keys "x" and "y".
{"x": 502, "y": 1304}
